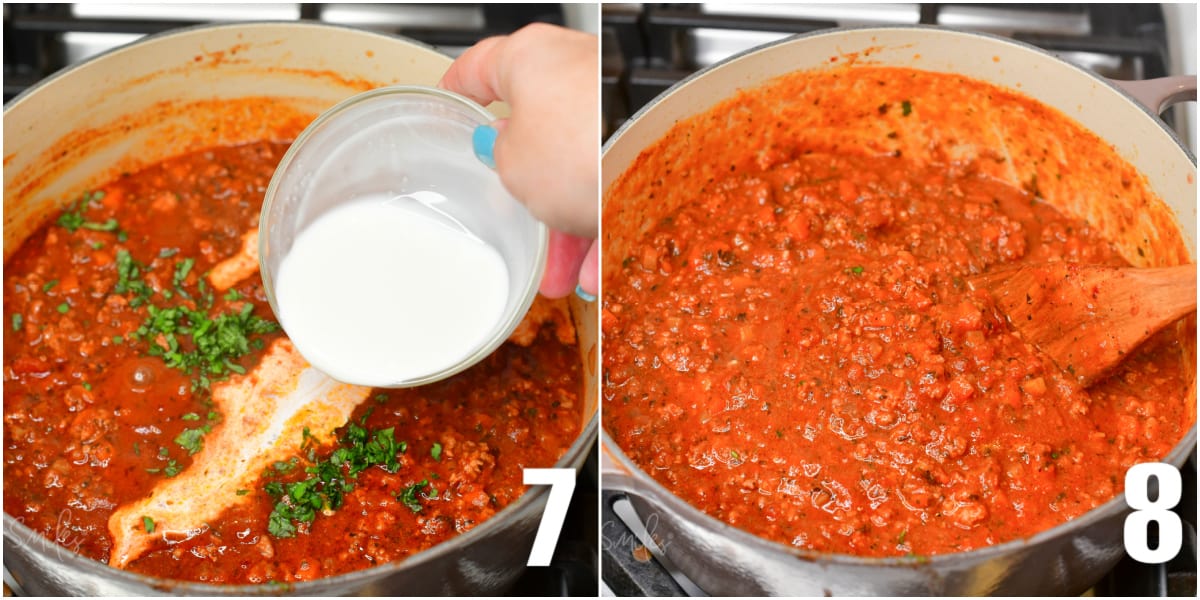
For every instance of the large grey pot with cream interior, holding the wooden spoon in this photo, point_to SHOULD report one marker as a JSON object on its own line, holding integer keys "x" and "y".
{"x": 1067, "y": 560}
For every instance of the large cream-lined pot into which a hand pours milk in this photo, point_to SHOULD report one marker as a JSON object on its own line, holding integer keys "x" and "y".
{"x": 203, "y": 87}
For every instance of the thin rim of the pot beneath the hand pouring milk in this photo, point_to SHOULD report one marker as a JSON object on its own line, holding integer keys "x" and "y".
{"x": 573, "y": 458}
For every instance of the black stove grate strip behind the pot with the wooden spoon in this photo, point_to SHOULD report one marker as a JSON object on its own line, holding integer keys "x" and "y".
{"x": 647, "y": 49}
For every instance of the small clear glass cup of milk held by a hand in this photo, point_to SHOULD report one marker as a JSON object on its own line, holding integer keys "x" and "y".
{"x": 411, "y": 146}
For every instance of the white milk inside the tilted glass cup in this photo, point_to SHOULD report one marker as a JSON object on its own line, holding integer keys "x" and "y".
{"x": 385, "y": 291}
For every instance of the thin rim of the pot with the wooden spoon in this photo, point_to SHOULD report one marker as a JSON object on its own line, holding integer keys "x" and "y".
{"x": 661, "y": 495}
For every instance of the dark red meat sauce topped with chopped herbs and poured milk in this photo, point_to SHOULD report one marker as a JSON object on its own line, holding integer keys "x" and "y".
{"x": 93, "y": 419}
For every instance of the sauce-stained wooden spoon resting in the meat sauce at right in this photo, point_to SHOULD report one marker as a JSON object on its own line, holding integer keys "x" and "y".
{"x": 1089, "y": 319}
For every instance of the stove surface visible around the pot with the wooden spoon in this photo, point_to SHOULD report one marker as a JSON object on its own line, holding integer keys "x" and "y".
{"x": 650, "y": 47}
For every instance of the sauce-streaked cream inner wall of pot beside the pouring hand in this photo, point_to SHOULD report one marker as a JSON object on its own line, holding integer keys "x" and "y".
{"x": 183, "y": 92}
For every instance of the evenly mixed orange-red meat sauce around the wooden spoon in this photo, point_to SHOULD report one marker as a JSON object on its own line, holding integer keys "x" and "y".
{"x": 811, "y": 367}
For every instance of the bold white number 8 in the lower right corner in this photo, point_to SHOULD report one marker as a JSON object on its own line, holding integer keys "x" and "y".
{"x": 1171, "y": 529}
